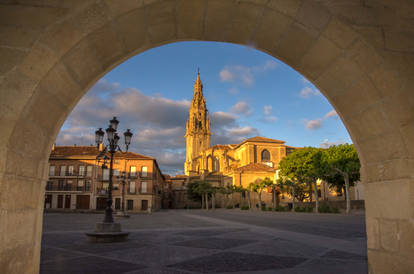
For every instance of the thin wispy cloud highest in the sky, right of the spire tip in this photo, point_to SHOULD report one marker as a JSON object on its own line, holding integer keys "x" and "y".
{"x": 244, "y": 74}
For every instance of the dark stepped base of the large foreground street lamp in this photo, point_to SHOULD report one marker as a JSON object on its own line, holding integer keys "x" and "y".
{"x": 107, "y": 233}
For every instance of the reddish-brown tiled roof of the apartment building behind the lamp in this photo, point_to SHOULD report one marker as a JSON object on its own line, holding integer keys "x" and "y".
{"x": 73, "y": 151}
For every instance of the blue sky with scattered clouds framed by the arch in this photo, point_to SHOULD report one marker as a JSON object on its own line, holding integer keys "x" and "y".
{"x": 248, "y": 93}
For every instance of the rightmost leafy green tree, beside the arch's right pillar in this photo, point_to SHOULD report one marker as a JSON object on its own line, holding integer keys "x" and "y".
{"x": 341, "y": 160}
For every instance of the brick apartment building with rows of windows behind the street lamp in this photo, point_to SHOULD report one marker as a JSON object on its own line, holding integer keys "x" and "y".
{"x": 77, "y": 180}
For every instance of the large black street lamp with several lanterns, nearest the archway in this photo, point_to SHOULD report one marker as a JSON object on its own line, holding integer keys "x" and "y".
{"x": 108, "y": 231}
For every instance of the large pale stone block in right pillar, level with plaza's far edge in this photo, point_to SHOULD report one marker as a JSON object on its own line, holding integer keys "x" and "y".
{"x": 389, "y": 200}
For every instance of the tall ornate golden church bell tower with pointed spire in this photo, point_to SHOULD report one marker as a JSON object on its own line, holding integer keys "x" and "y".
{"x": 197, "y": 128}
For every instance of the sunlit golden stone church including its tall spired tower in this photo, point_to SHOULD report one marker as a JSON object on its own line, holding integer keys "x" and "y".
{"x": 242, "y": 163}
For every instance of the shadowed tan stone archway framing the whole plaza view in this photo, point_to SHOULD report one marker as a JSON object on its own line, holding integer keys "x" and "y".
{"x": 360, "y": 54}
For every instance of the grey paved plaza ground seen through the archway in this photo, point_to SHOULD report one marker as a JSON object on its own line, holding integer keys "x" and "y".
{"x": 194, "y": 241}
